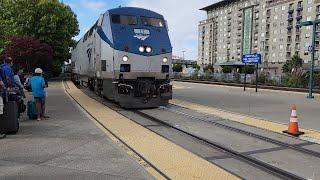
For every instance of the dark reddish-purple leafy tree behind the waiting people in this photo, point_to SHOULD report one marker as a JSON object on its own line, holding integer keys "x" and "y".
{"x": 29, "y": 52}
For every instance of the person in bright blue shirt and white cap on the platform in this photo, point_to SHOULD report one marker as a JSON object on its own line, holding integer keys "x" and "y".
{"x": 37, "y": 84}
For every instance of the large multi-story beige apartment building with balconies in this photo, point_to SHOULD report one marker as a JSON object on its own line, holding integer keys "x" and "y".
{"x": 270, "y": 27}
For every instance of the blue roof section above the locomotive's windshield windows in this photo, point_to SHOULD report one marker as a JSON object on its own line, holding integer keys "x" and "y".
{"x": 135, "y": 12}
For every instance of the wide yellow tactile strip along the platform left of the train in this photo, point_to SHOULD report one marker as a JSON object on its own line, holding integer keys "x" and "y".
{"x": 169, "y": 158}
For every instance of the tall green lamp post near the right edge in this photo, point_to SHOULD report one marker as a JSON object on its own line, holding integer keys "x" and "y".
{"x": 311, "y": 71}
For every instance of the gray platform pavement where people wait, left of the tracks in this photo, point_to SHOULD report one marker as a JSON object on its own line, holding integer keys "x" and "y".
{"x": 66, "y": 146}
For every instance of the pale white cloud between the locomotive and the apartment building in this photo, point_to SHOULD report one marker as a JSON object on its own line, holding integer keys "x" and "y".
{"x": 183, "y": 18}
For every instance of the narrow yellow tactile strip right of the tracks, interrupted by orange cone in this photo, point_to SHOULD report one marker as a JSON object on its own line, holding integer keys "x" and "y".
{"x": 311, "y": 135}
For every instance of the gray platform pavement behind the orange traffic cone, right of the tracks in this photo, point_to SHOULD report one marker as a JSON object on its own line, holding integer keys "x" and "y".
{"x": 269, "y": 105}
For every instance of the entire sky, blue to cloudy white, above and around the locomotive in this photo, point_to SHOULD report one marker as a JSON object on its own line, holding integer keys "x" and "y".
{"x": 182, "y": 16}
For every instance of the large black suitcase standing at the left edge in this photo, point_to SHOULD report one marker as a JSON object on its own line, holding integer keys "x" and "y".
{"x": 9, "y": 123}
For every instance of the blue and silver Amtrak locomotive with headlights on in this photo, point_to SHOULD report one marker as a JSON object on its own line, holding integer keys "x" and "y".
{"x": 127, "y": 57}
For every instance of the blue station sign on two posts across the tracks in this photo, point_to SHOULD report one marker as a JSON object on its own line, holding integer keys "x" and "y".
{"x": 251, "y": 59}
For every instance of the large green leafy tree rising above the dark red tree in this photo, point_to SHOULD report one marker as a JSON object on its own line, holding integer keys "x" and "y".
{"x": 50, "y": 21}
